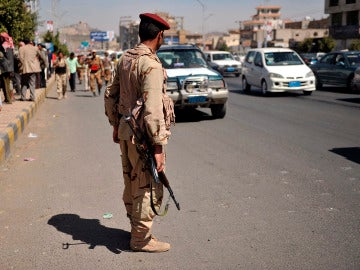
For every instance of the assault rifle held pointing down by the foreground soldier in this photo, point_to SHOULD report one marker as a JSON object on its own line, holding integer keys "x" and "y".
{"x": 146, "y": 151}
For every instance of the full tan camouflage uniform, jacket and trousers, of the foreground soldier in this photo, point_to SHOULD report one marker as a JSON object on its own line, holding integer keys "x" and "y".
{"x": 139, "y": 76}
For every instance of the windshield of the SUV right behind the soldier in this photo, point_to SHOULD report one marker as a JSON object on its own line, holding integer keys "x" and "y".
{"x": 181, "y": 58}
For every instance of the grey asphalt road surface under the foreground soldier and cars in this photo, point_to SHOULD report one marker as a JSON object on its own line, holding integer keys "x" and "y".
{"x": 273, "y": 185}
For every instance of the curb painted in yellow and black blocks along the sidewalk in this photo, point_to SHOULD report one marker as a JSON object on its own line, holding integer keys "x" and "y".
{"x": 17, "y": 126}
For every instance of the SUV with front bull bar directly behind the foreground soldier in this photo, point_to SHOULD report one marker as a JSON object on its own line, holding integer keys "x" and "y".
{"x": 191, "y": 81}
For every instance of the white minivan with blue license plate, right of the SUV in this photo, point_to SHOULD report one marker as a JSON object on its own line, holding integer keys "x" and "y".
{"x": 276, "y": 70}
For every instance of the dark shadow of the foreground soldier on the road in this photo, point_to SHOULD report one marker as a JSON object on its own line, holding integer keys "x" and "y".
{"x": 91, "y": 232}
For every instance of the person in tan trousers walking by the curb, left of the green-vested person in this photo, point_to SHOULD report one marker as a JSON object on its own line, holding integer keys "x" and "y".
{"x": 62, "y": 72}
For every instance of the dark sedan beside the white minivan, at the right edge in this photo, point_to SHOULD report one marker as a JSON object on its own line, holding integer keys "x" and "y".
{"x": 337, "y": 68}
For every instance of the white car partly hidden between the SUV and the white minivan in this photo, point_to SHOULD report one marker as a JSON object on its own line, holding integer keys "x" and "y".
{"x": 224, "y": 62}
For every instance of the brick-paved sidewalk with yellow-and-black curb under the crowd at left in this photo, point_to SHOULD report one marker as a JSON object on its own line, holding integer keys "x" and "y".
{"x": 14, "y": 117}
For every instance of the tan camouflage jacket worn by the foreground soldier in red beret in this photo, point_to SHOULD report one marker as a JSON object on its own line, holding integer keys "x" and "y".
{"x": 139, "y": 76}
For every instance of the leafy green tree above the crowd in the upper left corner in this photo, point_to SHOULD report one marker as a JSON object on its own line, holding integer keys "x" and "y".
{"x": 16, "y": 20}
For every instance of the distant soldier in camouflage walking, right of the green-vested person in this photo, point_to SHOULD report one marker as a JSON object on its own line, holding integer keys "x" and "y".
{"x": 96, "y": 72}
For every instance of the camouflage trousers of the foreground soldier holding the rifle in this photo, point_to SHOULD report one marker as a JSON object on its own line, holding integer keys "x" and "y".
{"x": 136, "y": 194}
